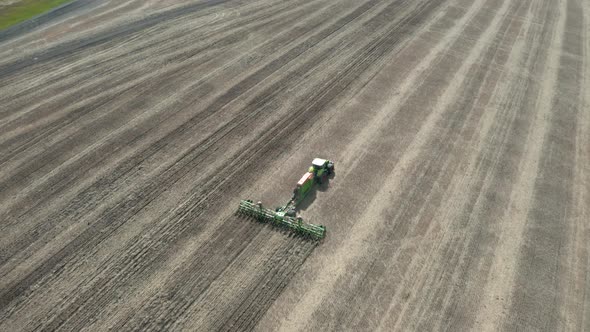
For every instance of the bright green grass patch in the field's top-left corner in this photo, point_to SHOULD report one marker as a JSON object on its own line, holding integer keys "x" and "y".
{"x": 25, "y": 9}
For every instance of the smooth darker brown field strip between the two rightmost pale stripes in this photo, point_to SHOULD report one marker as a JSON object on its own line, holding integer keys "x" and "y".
{"x": 539, "y": 272}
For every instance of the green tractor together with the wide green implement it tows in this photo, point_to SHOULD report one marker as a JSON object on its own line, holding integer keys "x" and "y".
{"x": 286, "y": 216}
